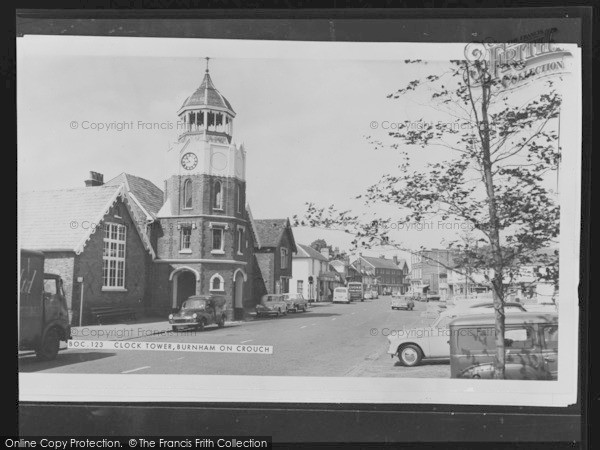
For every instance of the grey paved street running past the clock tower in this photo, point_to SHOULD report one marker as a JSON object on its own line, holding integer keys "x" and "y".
{"x": 338, "y": 340}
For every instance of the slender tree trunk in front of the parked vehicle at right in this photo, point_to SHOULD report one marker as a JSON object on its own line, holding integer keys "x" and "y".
{"x": 498, "y": 290}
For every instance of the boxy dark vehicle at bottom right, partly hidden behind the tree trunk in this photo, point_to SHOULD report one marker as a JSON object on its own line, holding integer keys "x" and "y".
{"x": 530, "y": 342}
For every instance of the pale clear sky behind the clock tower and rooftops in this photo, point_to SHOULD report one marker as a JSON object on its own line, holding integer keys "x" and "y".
{"x": 303, "y": 115}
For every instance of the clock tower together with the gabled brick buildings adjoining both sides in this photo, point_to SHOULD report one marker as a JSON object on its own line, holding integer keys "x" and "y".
{"x": 151, "y": 249}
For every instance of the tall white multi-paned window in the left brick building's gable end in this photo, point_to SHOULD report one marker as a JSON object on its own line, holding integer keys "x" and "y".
{"x": 113, "y": 257}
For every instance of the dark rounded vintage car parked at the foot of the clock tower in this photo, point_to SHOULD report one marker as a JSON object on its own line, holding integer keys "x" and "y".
{"x": 198, "y": 311}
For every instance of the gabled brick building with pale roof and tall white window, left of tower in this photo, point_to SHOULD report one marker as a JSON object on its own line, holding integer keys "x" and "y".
{"x": 89, "y": 233}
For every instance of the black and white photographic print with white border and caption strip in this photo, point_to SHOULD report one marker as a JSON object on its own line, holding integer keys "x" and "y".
{"x": 207, "y": 220}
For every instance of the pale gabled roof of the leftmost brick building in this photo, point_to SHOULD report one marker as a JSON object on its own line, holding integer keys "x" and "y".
{"x": 64, "y": 220}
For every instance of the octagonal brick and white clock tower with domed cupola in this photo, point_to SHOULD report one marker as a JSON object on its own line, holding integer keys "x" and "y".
{"x": 203, "y": 244}
